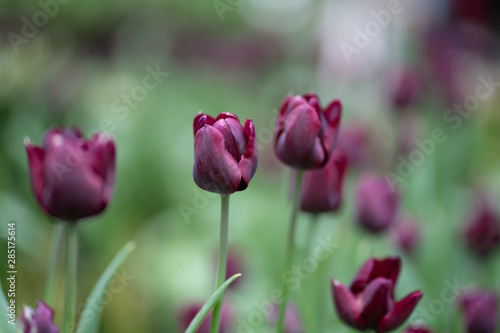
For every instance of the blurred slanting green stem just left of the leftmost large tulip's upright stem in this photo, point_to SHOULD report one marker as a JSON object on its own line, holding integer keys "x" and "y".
{"x": 54, "y": 258}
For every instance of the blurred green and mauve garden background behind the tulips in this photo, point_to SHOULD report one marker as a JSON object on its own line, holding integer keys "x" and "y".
{"x": 80, "y": 62}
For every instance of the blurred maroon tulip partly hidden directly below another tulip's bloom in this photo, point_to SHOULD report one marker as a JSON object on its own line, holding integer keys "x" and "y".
{"x": 322, "y": 188}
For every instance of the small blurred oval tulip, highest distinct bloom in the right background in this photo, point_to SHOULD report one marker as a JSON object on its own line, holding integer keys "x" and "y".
{"x": 404, "y": 88}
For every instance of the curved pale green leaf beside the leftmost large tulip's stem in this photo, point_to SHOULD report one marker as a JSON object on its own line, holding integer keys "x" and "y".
{"x": 91, "y": 314}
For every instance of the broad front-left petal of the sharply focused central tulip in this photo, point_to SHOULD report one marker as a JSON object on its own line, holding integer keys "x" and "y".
{"x": 214, "y": 170}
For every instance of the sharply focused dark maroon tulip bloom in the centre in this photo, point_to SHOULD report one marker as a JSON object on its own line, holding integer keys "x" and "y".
{"x": 225, "y": 153}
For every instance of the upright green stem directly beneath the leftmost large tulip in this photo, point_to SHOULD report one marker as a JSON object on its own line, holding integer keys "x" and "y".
{"x": 71, "y": 277}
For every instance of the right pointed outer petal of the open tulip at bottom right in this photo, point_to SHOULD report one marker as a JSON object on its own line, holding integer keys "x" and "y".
{"x": 399, "y": 313}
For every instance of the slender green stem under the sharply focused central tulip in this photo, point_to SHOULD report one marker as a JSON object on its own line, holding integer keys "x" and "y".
{"x": 222, "y": 260}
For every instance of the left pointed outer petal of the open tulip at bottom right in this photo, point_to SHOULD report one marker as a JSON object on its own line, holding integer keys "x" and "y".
{"x": 348, "y": 308}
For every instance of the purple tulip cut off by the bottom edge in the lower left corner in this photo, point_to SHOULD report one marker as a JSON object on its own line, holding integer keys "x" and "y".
{"x": 40, "y": 320}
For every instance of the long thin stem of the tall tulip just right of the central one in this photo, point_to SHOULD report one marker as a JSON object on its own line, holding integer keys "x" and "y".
{"x": 290, "y": 247}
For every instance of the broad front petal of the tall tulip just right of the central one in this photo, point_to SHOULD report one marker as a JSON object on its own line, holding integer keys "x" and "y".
{"x": 299, "y": 145}
